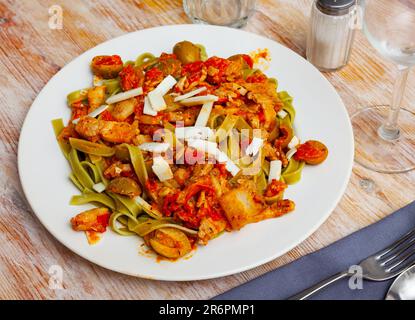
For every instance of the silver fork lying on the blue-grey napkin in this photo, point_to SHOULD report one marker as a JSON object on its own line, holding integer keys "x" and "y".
{"x": 383, "y": 265}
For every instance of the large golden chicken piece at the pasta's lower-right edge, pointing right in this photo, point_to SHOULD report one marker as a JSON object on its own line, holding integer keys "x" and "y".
{"x": 241, "y": 207}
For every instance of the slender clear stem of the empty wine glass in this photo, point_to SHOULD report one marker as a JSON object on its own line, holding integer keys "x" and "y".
{"x": 389, "y": 130}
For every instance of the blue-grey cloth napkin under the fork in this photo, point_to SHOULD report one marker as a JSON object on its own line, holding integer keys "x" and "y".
{"x": 301, "y": 274}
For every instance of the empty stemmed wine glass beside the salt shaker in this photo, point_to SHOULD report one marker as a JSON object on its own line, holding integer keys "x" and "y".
{"x": 385, "y": 135}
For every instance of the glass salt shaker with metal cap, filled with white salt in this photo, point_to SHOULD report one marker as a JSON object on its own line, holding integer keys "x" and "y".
{"x": 331, "y": 33}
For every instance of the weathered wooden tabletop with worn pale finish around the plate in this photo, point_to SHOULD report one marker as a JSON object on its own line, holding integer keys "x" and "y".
{"x": 31, "y": 53}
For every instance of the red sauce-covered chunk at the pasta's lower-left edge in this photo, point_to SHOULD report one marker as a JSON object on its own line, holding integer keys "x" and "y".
{"x": 91, "y": 220}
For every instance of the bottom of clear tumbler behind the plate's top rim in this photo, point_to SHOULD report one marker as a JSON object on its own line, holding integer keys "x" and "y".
{"x": 231, "y": 13}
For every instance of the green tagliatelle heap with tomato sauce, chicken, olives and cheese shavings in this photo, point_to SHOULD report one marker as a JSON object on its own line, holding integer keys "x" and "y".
{"x": 181, "y": 147}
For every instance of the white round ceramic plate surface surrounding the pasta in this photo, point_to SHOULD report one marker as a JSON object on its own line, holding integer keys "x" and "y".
{"x": 321, "y": 115}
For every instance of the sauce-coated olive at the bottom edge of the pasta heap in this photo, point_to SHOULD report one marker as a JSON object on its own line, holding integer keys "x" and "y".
{"x": 170, "y": 242}
